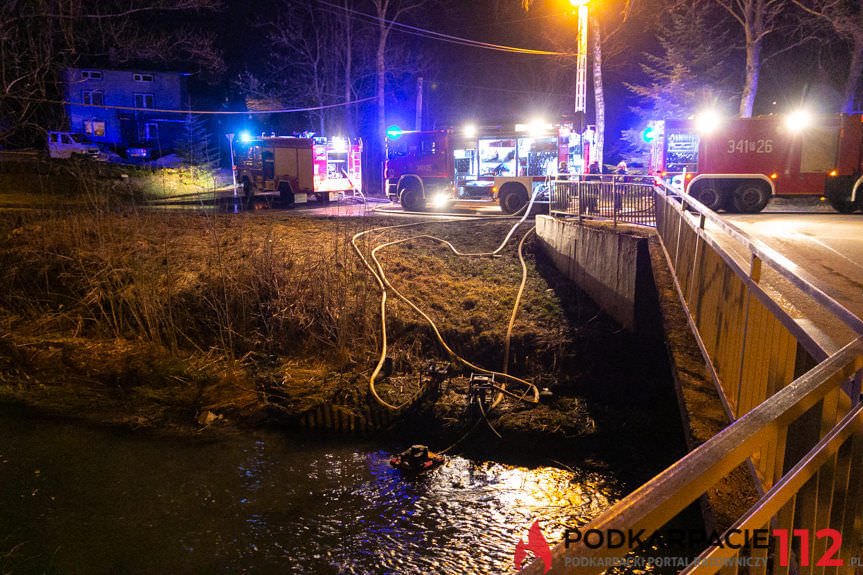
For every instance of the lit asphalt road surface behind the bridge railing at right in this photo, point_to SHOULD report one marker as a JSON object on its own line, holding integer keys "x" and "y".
{"x": 828, "y": 246}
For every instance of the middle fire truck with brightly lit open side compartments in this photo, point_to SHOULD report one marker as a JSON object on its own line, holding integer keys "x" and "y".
{"x": 494, "y": 163}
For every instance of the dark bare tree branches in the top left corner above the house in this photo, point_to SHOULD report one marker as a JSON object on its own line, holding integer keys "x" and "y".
{"x": 39, "y": 39}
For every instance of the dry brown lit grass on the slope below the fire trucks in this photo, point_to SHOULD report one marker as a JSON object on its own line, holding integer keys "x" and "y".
{"x": 159, "y": 317}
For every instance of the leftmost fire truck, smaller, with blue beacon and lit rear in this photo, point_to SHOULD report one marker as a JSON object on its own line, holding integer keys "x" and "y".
{"x": 299, "y": 170}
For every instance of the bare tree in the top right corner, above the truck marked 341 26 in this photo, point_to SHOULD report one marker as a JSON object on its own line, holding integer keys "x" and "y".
{"x": 845, "y": 17}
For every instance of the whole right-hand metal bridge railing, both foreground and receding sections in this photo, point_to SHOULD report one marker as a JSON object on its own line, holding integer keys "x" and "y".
{"x": 798, "y": 422}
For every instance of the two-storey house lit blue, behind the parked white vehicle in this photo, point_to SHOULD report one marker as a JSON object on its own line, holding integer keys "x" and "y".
{"x": 125, "y": 124}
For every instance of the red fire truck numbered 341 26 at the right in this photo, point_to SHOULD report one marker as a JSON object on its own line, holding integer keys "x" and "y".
{"x": 738, "y": 164}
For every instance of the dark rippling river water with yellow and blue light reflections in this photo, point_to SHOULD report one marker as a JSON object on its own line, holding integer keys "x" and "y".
{"x": 78, "y": 500}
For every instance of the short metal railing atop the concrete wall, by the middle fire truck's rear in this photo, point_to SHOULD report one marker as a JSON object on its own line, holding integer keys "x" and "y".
{"x": 627, "y": 199}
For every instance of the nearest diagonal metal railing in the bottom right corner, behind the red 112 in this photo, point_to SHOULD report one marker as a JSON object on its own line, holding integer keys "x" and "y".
{"x": 816, "y": 491}
